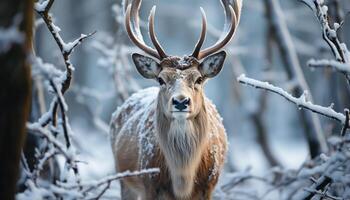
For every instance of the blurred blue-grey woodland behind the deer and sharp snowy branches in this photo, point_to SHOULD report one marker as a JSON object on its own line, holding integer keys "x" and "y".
{"x": 275, "y": 39}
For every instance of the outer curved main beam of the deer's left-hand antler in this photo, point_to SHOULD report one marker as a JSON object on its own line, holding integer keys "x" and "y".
{"x": 133, "y": 29}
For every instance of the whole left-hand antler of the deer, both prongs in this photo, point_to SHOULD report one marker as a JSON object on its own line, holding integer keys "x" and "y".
{"x": 133, "y": 29}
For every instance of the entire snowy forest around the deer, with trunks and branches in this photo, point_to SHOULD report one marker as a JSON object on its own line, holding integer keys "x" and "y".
{"x": 283, "y": 94}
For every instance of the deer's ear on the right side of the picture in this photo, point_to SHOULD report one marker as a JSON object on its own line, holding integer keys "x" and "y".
{"x": 212, "y": 65}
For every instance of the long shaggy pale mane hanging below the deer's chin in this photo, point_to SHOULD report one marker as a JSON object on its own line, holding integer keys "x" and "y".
{"x": 182, "y": 142}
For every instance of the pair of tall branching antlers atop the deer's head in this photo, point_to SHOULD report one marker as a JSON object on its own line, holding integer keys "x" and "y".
{"x": 133, "y": 29}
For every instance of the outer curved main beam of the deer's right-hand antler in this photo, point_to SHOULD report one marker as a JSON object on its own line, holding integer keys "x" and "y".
{"x": 233, "y": 16}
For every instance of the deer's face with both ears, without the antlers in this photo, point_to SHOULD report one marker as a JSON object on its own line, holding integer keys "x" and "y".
{"x": 180, "y": 80}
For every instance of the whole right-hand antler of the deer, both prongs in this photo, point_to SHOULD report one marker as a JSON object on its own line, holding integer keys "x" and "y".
{"x": 232, "y": 18}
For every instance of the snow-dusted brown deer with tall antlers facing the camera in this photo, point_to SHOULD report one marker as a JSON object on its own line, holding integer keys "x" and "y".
{"x": 173, "y": 127}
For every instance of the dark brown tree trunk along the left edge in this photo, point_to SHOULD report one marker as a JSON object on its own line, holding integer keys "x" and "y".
{"x": 15, "y": 92}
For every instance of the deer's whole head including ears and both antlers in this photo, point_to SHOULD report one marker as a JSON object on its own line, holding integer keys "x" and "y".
{"x": 181, "y": 79}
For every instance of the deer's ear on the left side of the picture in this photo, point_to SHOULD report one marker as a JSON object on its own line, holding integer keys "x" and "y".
{"x": 146, "y": 66}
